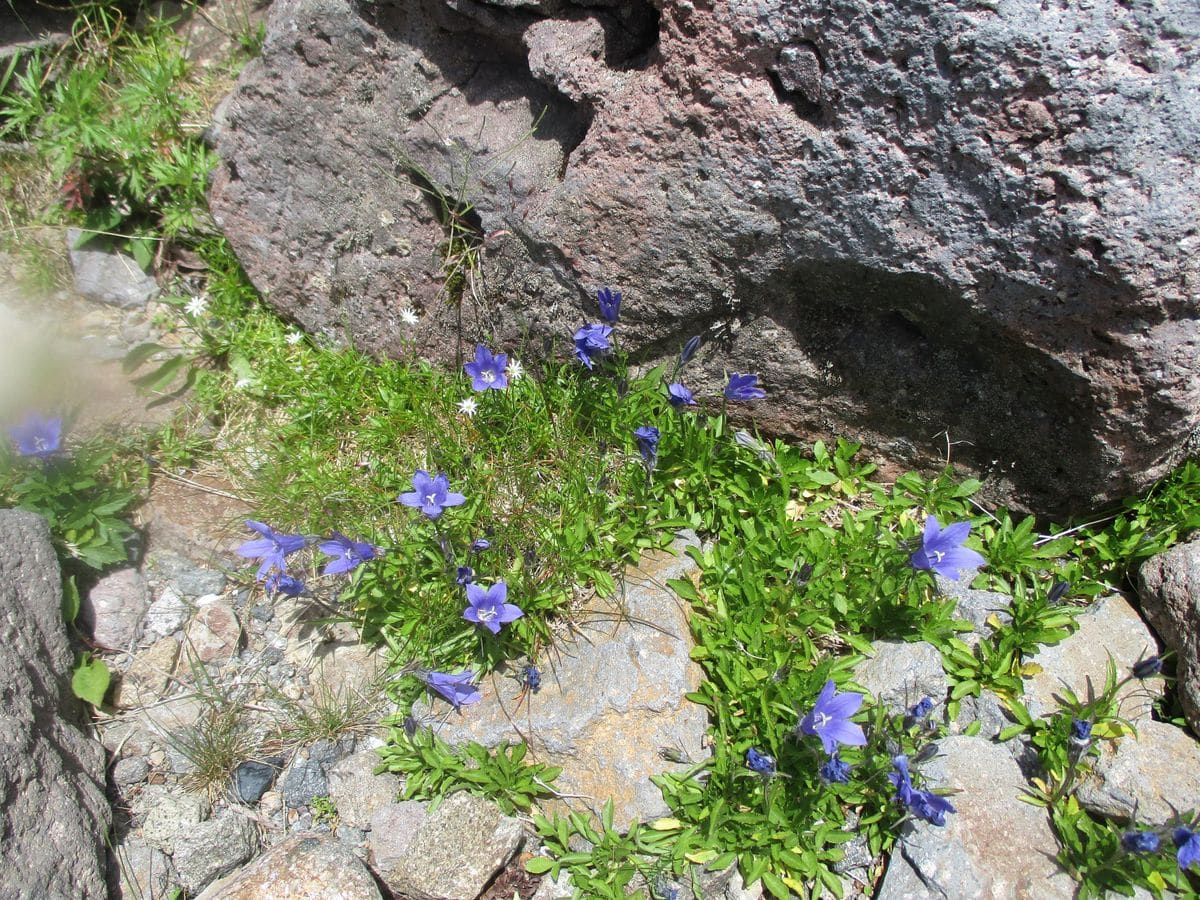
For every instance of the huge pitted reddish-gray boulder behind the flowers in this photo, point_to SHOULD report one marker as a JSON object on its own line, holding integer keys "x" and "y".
{"x": 975, "y": 219}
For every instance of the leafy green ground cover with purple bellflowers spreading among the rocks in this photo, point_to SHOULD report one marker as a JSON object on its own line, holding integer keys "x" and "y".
{"x": 811, "y": 559}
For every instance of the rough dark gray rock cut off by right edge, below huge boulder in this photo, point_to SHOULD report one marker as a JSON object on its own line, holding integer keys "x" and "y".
{"x": 1171, "y": 601}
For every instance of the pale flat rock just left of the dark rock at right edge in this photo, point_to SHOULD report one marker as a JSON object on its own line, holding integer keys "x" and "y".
{"x": 1111, "y": 629}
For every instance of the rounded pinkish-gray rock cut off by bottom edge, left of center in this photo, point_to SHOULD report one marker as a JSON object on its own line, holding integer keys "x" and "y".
{"x": 305, "y": 867}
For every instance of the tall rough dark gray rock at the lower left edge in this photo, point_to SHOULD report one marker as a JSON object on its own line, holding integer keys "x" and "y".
{"x": 53, "y": 813}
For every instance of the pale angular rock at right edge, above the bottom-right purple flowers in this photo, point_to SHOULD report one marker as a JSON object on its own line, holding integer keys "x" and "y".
{"x": 1157, "y": 771}
